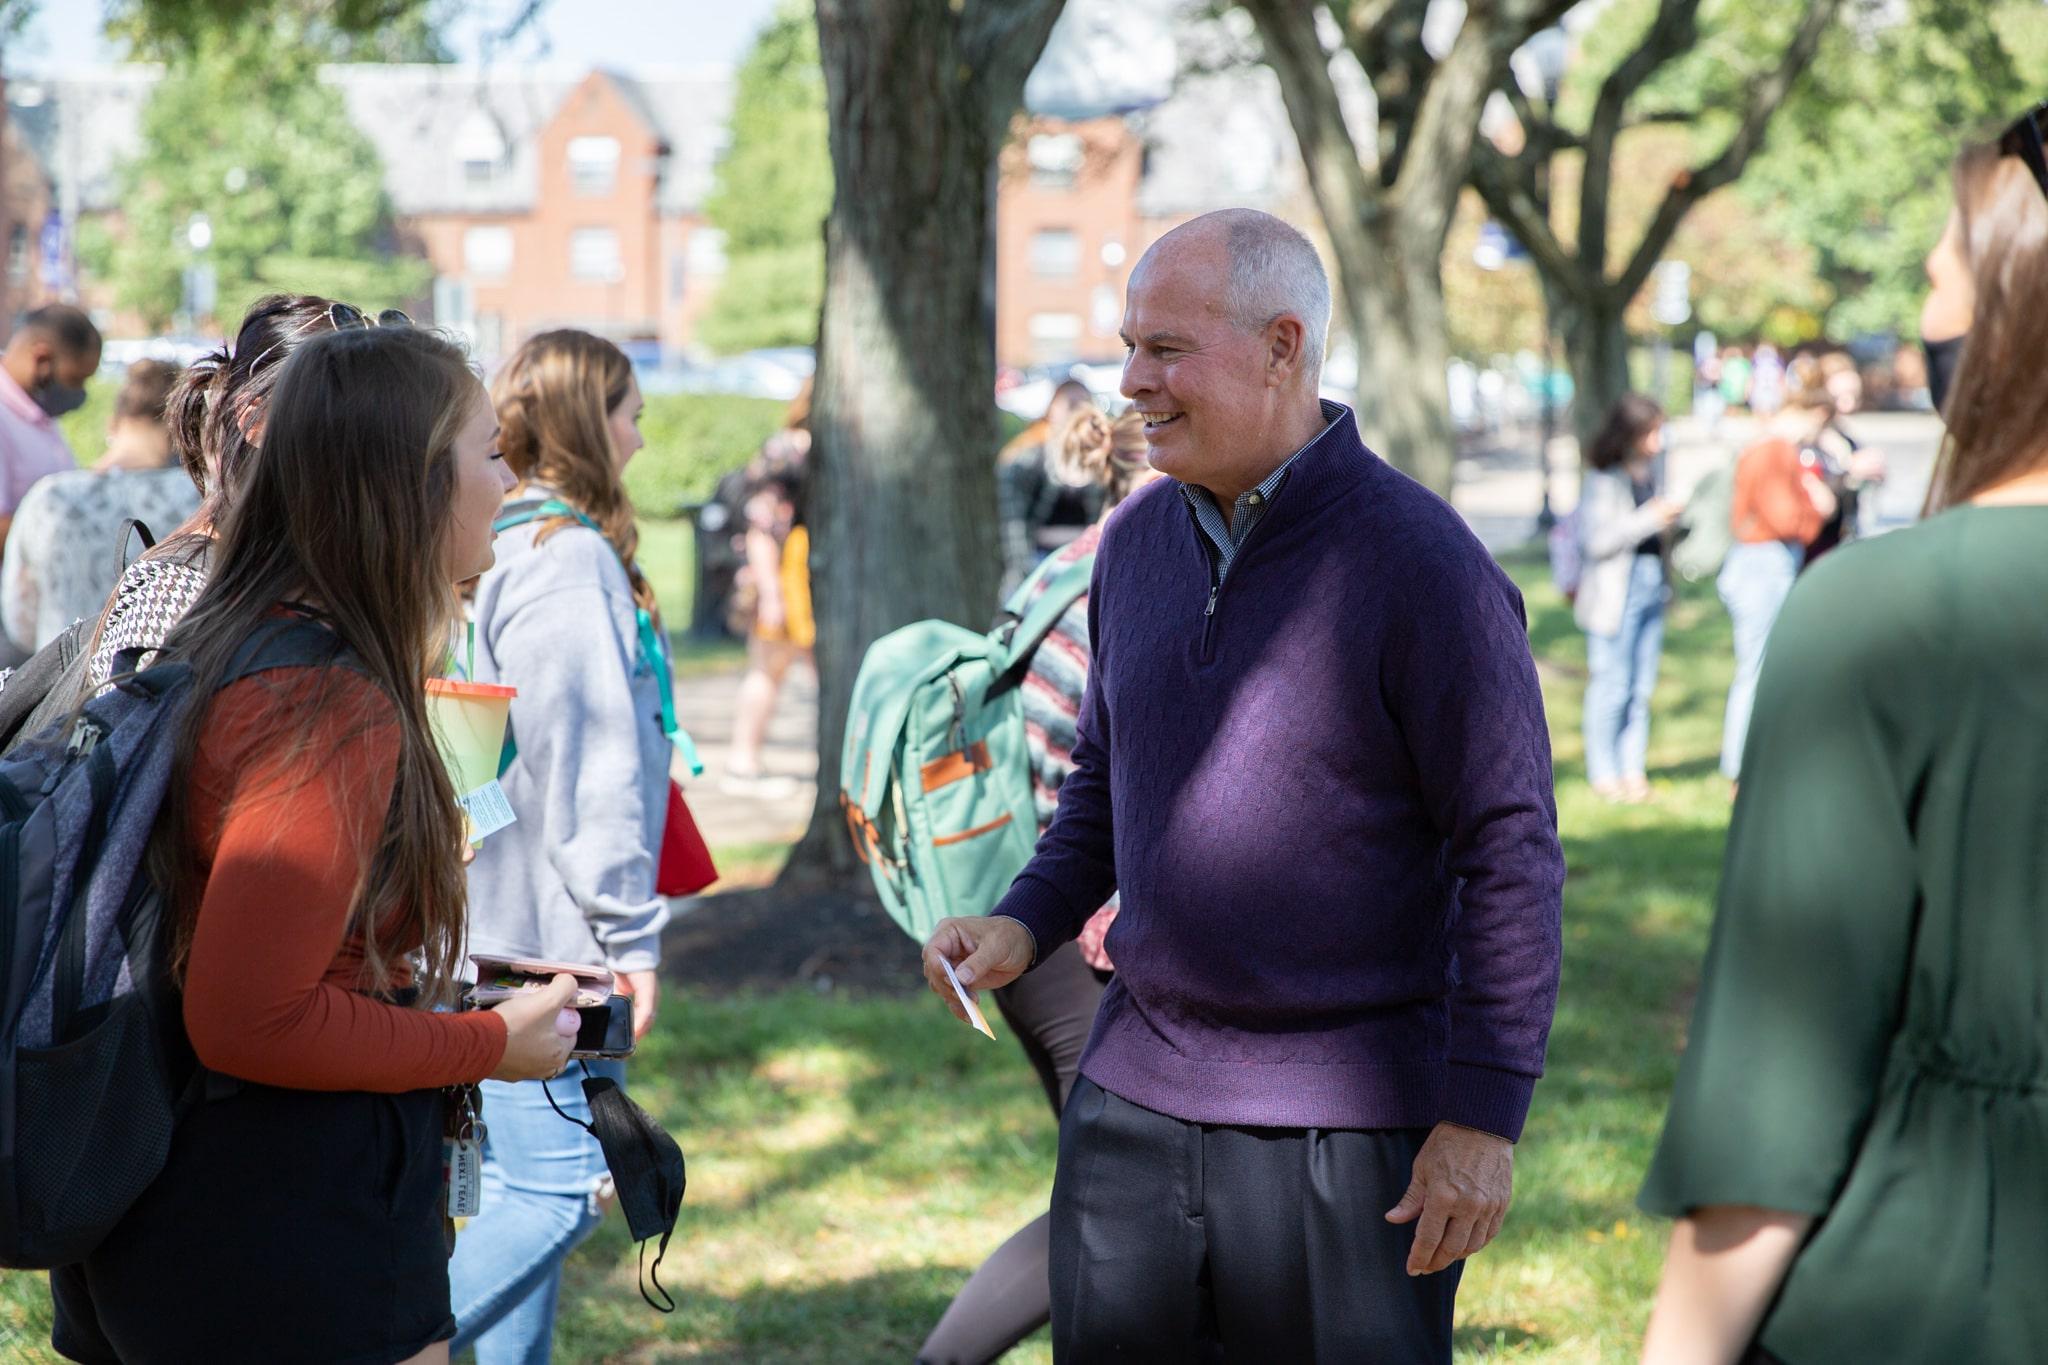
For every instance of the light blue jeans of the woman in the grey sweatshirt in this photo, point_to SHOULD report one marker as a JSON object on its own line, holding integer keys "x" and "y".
{"x": 540, "y": 1200}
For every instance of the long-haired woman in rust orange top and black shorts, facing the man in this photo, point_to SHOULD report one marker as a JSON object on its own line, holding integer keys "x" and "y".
{"x": 314, "y": 869}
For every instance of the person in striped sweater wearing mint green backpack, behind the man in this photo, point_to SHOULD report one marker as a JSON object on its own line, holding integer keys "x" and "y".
{"x": 1054, "y": 1008}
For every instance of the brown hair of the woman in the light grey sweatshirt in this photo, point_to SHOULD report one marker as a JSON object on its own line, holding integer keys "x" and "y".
{"x": 554, "y": 410}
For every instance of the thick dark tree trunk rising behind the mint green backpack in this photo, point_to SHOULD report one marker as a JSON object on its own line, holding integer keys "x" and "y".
{"x": 902, "y": 470}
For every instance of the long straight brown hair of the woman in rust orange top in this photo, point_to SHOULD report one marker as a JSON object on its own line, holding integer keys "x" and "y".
{"x": 347, "y": 511}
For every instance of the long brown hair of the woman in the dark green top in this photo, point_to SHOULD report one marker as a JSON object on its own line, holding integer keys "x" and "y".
{"x": 1998, "y": 404}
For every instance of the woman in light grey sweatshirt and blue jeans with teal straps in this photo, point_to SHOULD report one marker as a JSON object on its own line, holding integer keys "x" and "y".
{"x": 570, "y": 621}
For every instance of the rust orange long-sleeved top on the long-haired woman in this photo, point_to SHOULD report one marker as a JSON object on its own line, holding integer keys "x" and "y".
{"x": 273, "y": 987}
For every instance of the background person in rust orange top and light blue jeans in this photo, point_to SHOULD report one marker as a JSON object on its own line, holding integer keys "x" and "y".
{"x": 1781, "y": 504}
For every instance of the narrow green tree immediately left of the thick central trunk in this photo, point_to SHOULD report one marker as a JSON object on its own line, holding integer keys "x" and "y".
{"x": 773, "y": 193}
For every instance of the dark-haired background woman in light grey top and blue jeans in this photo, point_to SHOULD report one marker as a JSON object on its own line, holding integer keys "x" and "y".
{"x": 1623, "y": 590}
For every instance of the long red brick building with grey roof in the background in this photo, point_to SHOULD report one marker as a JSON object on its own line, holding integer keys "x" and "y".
{"x": 554, "y": 197}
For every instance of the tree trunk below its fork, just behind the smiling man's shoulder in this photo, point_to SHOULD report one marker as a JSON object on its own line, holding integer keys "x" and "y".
{"x": 1396, "y": 304}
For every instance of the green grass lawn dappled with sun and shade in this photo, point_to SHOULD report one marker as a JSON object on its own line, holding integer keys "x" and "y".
{"x": 853, "y": 1159}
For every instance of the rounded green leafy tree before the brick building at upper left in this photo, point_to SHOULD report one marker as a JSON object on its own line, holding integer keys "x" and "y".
{"x": 245, "y": 134}
